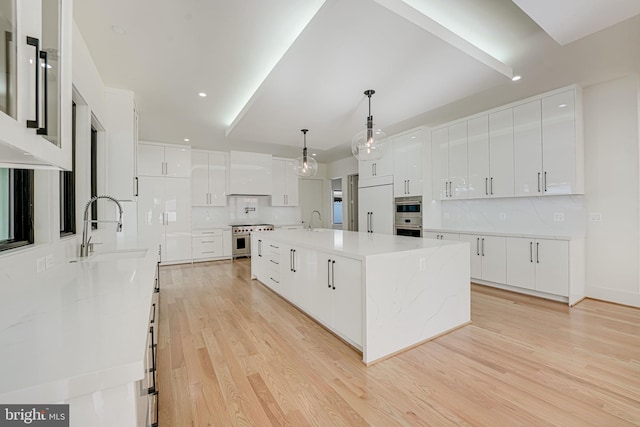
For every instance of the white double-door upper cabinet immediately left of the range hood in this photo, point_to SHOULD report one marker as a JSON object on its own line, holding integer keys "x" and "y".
{"x": 208, "y": 178}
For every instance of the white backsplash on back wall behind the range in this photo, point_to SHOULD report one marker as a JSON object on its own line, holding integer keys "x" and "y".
{"x": 244, "y": 210}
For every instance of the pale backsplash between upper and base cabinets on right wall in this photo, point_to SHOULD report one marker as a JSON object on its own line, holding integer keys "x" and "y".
{"x": 550, "y": 215}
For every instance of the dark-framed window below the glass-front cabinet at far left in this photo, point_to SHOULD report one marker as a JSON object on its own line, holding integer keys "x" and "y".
{"x": 16, "y": 208}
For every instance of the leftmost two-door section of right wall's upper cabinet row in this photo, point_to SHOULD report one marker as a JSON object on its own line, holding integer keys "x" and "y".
{"x": 449, "y": 147}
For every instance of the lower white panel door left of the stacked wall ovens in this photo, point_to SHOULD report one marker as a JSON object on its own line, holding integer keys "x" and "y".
{"x": 375, "y": 211}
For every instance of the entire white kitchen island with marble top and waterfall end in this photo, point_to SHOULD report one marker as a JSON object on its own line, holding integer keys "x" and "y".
{"x": 380, "y": 293}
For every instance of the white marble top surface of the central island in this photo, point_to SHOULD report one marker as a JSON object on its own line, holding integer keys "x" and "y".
{"x": 349, "y": 243}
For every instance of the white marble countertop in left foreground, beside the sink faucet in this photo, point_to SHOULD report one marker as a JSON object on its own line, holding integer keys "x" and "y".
{"x": 82, "y": 329}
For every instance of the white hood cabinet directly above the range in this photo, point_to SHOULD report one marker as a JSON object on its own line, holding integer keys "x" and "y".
{"x": 250, "y": 173}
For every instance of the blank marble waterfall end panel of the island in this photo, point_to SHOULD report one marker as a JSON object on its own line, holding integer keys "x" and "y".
{"x": 414, "y": 296}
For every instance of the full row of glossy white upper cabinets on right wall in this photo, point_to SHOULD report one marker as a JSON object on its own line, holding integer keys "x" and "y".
{"x": 530, "y": 148}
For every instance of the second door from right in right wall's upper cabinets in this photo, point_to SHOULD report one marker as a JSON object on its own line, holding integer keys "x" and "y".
{"x": 527, "y": 149}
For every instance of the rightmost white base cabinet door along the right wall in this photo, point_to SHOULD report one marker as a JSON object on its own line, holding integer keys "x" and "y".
{"x": 552, "y": 266}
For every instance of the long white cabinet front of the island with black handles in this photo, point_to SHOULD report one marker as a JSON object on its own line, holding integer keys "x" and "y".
{"x": 326, "y": 286}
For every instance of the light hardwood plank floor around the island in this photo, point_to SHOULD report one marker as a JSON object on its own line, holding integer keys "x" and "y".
{"x": 231, "y": 352}
